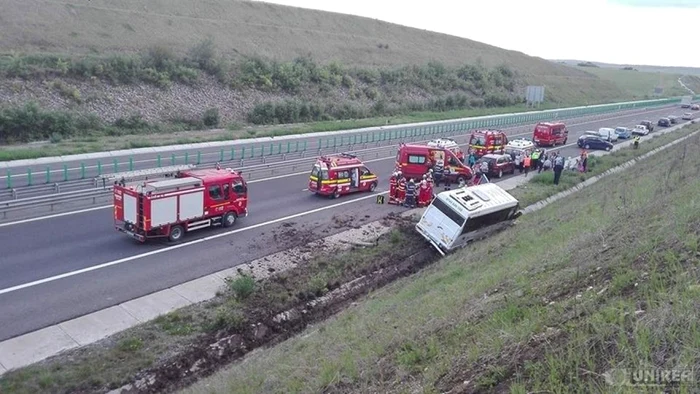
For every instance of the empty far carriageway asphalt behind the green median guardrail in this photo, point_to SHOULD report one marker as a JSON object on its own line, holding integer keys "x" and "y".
{"x": 148, "y": 159}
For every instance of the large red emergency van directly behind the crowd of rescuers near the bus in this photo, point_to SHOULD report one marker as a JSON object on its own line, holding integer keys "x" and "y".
{"x": 414, "y": 161}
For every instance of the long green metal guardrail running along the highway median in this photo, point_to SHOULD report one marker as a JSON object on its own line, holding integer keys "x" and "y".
{"x": 262, "y": 151}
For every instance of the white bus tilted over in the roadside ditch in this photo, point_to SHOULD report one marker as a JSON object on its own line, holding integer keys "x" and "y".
{"x": 458, "y": 216}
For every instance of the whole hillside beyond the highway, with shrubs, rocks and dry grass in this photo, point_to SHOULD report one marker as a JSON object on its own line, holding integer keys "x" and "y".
{"x": 97, "y": 68}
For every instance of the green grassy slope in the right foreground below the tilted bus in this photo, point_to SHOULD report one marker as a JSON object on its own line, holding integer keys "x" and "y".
{"x": 604, "y": 279}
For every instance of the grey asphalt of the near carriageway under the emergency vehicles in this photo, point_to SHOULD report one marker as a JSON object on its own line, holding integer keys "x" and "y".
{"x": 119, "y": 269}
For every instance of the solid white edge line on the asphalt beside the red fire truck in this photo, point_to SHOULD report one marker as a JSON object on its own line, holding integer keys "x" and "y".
{"x": 182, "y": 245}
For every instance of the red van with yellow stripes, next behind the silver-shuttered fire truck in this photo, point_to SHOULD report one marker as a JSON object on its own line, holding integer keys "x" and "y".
{"x": 340, "y": 174}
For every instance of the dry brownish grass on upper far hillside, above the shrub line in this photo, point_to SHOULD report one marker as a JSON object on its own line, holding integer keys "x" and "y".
{"x": 266, "y": 30}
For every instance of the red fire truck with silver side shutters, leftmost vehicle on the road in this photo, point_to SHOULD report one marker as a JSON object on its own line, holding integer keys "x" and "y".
{"x": 170, "y": 206}
